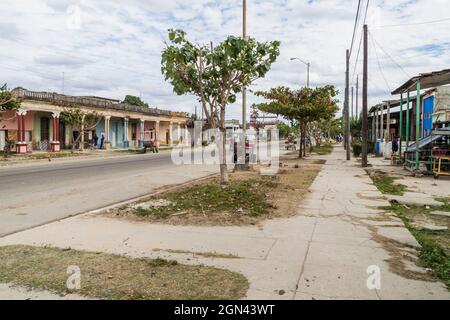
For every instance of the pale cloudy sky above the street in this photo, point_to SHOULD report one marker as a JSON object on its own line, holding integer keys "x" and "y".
{"x": 112, "y": 48}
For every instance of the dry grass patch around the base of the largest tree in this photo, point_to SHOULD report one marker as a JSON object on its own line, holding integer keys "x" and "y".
{"x": 249, "y": 199}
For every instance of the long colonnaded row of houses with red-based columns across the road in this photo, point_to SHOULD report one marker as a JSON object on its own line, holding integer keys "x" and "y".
{"x": 37, "y": 124}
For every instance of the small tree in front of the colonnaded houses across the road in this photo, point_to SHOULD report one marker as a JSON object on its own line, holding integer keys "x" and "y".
{"x": 81, "y": 120}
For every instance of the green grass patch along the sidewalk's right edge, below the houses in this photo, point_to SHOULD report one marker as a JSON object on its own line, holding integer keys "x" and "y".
{"x": 435, "y": 251}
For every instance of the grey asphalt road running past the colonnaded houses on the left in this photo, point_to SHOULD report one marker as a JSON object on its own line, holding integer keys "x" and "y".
{"x": 35, "y": 194}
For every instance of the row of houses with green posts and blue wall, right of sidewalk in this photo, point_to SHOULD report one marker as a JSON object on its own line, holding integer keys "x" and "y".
{"x": 419, "y": 120}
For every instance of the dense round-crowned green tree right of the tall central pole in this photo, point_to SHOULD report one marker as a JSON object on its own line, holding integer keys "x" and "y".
{"x": 305, "y": 106}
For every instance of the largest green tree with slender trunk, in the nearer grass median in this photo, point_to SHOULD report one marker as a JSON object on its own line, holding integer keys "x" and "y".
{"x": 216, "y": 74}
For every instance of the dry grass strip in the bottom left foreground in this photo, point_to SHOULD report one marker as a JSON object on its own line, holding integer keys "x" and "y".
{"x": 117, "y": 277}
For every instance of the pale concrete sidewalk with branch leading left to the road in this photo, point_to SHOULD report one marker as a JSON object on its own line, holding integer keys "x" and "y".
{"x": 322, "y": 253}
